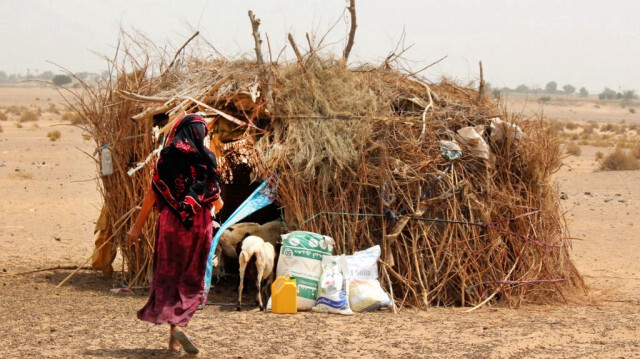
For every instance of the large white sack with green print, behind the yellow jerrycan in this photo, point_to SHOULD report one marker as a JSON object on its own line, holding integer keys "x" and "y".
{"x": 301, "y": 257}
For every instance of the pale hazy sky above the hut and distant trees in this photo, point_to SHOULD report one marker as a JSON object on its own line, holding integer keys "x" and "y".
{"x": 591, "y": 43}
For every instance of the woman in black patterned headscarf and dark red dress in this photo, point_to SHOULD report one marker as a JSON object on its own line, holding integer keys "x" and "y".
{"x": 184, "y": 189}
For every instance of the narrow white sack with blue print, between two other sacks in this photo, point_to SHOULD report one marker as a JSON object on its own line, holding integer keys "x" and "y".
{"x": 333, "y": 291}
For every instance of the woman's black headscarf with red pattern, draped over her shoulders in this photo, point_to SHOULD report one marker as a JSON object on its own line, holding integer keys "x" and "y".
{"x": 186, "y": 175}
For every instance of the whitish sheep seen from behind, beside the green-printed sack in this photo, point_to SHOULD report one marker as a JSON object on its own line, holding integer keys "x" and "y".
{"x": 257, "y": 260}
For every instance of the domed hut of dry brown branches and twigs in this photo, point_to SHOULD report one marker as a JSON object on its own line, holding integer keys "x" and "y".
{"x": 357, "y": 154}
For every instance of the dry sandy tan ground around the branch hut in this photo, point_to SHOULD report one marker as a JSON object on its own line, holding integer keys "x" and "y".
{"x": 50, "y": 204}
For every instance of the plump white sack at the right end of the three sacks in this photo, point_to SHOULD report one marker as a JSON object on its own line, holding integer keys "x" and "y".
{"x": 365, "y": 292}
